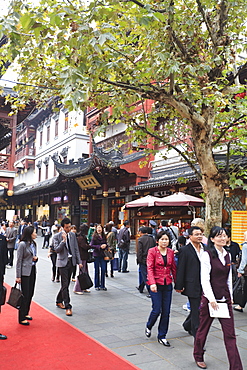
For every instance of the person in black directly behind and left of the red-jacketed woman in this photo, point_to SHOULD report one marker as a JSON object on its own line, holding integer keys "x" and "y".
{"x": 145, "y": 242}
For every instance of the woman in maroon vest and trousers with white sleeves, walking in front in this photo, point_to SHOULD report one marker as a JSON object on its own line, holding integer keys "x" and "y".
{"x": 216, "y": 279}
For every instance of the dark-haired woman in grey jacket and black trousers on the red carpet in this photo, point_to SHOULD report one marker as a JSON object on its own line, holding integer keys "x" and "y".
{"x": 26, "y": 271}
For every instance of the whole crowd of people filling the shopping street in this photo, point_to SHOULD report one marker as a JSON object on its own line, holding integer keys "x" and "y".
{"x": 203, "y": 269}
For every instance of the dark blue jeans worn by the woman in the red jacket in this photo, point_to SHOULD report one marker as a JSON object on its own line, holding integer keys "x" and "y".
{"x": 161, "y": 304}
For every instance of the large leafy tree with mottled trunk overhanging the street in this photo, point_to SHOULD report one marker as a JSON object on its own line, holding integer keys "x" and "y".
{"x": 183, "y": 55}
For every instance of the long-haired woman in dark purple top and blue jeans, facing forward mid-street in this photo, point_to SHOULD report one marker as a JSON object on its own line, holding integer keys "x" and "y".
{"x": 98, "y": 243}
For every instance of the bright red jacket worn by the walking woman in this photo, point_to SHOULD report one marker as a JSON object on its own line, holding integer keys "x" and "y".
{"x": 157, "y": 272}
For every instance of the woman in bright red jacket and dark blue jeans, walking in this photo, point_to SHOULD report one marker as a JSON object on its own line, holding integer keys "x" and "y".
{"x": 161, "y": 268}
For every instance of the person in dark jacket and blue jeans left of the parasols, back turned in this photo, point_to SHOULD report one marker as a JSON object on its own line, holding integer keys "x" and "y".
{"x": 123, "y": 246}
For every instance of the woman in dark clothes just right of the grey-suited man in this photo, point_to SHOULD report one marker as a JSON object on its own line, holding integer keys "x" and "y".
{"x": 83, "y": 249}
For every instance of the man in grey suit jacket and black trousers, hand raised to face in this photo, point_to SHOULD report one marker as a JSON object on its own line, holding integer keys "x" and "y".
{"x": 66, "y": 247}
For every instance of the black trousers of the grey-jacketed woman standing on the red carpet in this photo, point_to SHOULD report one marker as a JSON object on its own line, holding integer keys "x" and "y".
{"x": 27, "y": 287}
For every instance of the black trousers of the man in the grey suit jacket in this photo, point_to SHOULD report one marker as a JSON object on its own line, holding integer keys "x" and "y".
{"x": 63, "y": 294}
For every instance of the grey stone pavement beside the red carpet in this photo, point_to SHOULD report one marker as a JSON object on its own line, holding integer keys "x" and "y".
{"x": 117, "y": 318}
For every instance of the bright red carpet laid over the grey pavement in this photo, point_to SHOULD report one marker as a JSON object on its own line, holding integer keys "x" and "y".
{"x": 51, "y": 343}
